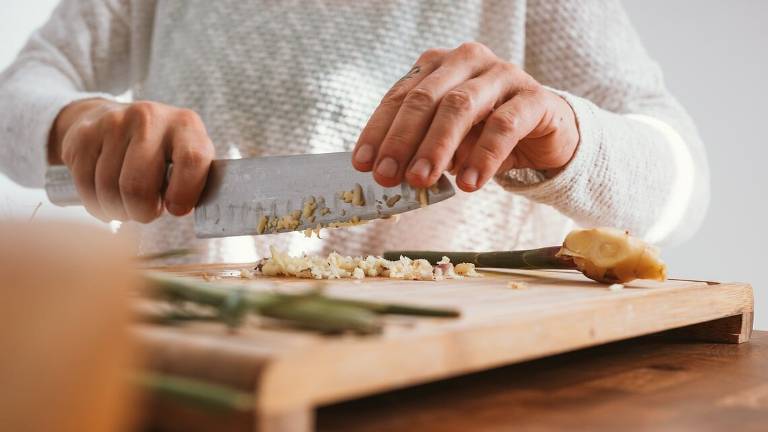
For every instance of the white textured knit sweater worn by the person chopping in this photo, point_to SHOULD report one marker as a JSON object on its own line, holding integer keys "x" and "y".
{"x": 283, "y": 77}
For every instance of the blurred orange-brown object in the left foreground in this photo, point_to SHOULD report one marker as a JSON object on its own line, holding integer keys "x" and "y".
{"x": 67, "y": 355}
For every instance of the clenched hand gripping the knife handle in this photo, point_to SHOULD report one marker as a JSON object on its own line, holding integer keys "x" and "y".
{"x": 117, "y": 155}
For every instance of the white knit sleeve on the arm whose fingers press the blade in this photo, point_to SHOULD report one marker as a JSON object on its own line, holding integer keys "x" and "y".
{"x": 640, "y": 164}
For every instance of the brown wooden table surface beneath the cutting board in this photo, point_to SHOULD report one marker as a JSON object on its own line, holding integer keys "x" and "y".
{"x": 656, "y": 383}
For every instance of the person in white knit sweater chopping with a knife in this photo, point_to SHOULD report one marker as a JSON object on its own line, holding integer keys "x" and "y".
{"x": 550, "y": 114}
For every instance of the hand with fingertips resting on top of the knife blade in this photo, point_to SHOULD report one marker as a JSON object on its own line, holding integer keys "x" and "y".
{"x": 468, "y": 112}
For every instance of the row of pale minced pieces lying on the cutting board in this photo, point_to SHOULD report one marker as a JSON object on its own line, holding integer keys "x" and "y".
{"x": 336, "y": 266}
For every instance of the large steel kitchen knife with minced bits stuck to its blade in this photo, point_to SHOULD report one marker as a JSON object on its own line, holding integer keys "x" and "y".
{"x": 273, "y": 194}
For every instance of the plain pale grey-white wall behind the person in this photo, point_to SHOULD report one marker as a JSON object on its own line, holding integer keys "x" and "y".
{"x": 714, "y": 55}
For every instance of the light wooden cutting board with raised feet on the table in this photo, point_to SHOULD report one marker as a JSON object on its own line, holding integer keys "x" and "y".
{"x": 291, "y": 371}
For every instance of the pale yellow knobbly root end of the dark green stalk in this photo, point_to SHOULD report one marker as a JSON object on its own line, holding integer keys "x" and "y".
{"x": 610, "y": 255}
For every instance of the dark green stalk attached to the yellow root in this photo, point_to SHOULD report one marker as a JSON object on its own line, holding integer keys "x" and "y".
{"x": 543, "y": 258}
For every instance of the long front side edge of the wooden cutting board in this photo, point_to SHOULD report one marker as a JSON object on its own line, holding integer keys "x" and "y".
{"x": 286, "y": 371}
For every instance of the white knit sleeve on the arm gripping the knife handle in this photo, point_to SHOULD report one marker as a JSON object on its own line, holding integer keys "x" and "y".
{"x": 83, "y": 51}
